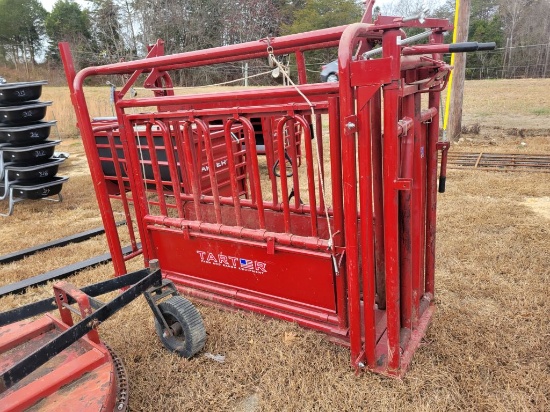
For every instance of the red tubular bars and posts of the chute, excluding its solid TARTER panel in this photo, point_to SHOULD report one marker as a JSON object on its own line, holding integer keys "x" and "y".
{"x": 393, "y": 172}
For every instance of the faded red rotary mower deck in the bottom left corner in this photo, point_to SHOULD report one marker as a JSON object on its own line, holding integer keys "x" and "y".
{"x": 85, "y": 369}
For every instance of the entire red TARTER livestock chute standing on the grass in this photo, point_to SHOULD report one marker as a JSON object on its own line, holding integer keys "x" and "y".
{"x": 353, "y": 259}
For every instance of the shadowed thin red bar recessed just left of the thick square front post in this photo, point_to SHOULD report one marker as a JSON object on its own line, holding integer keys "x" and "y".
{"x": 378, "y": 207}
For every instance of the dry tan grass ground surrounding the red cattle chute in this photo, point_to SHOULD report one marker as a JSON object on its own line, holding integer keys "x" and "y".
{"x": 487, "y": 346}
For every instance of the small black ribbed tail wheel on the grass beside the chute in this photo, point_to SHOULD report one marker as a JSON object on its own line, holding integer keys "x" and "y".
{"x": 185, "y": 322}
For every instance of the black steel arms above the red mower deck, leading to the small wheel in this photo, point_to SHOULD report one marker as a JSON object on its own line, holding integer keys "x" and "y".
{"x": 143, "y": 281}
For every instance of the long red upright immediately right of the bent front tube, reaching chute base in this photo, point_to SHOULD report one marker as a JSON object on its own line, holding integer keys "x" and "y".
{"x": 367, "y": 230}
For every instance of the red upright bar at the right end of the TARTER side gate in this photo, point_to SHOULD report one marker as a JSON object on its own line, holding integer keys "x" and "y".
{"x": 337, "y": 204}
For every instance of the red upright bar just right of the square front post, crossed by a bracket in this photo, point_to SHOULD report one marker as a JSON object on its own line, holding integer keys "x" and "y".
{"x": 405, "y": 203}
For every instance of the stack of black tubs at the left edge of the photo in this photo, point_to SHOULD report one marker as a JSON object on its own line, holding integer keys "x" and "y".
{"x": 27, "y": 167}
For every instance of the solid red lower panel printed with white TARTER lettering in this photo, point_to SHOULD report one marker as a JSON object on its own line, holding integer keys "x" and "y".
{"x": 299, "y": 276}
